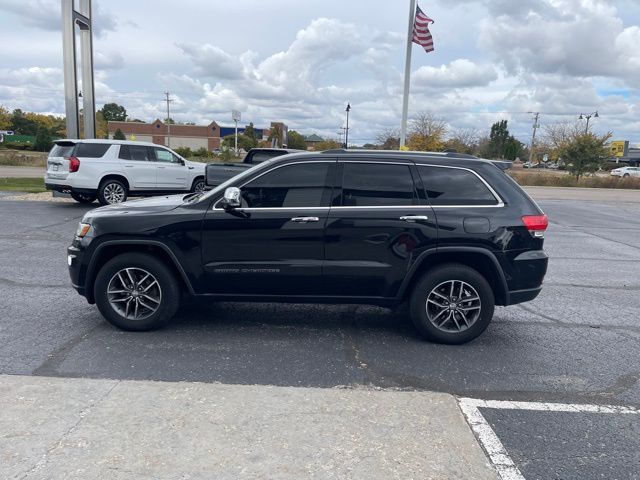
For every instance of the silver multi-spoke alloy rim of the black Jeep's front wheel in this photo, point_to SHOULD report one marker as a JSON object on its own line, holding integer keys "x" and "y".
{"x": 134, "y": 293}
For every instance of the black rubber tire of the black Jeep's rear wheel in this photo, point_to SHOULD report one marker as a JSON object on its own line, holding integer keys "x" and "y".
{"x": 439, "y": 278}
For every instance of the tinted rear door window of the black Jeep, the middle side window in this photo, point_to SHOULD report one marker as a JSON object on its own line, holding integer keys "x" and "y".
{"x": 369, "y": 184}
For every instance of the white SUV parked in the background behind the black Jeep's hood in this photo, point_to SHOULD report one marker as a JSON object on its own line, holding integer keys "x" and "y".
{"x": 112, "y": 170}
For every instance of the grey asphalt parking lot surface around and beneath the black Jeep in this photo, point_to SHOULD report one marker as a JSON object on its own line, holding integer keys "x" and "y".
{"x": 578, "y": 343}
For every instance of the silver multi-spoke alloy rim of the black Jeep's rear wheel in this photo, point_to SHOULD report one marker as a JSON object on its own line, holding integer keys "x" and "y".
{"x": 453, "y": 306}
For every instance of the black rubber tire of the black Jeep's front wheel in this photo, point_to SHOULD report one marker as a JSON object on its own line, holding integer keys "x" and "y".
{"x": 169, "y": 298}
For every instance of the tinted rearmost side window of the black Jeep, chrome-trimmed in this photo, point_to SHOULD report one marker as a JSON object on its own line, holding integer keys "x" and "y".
{"x": 452, "y": 186}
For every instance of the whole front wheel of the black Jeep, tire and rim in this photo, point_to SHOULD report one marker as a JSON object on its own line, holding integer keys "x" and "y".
{"x": 136, "y": 292}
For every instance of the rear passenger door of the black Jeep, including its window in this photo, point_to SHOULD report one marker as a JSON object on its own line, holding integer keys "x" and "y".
{"x": 378, "y": 225}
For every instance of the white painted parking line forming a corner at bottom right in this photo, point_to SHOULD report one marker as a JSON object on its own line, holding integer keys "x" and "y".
{"x": 491, "y": 443}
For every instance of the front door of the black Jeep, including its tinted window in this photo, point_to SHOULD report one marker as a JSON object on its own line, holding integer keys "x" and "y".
{"x": 274, "y": 243}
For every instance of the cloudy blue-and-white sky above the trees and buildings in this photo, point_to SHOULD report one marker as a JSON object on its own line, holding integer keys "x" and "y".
{"x": 301, "y": 62}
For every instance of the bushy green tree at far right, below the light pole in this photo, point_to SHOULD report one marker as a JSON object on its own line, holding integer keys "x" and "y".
{"x": 585, "y": 153}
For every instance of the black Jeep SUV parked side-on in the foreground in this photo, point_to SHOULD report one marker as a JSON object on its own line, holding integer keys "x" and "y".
{"x": 452, "y": 235}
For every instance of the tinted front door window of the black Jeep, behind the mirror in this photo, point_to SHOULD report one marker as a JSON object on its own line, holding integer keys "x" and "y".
{"x": 300, "y": 185}
